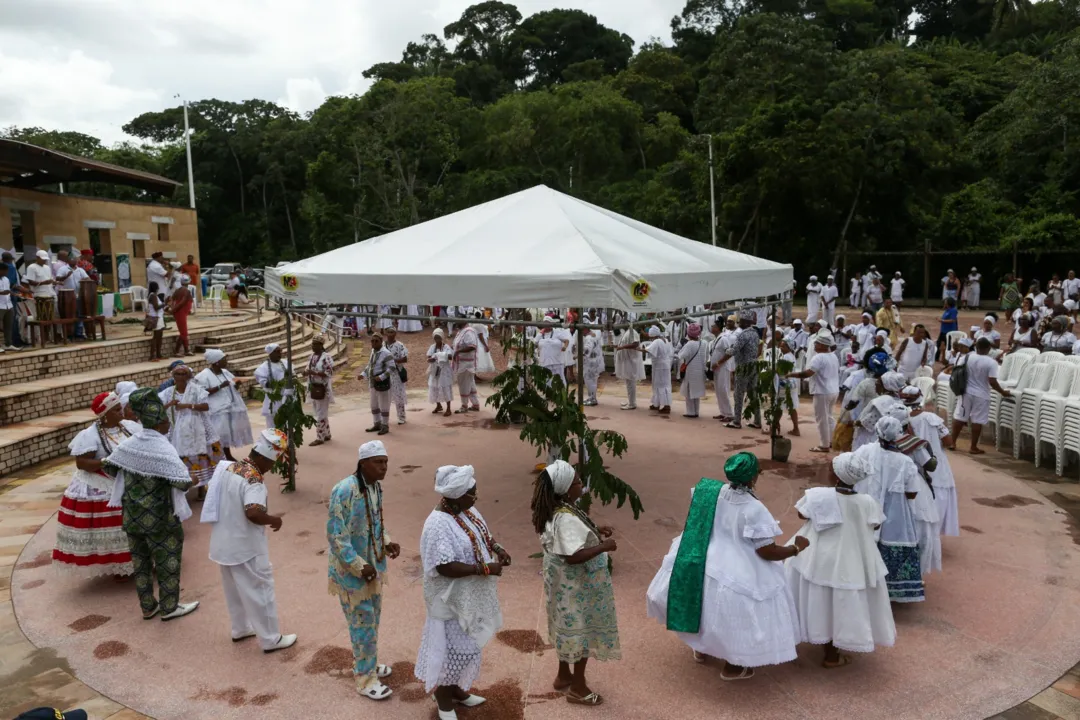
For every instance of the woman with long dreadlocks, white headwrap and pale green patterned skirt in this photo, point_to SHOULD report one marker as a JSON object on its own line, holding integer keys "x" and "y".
{"x": 582, "y": 615}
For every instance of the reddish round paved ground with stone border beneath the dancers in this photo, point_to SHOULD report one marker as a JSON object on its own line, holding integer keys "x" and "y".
{"x": 1000, "y": 626}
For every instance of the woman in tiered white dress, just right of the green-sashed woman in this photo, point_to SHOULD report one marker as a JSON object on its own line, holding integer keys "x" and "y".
{"x": 840, "y": 582}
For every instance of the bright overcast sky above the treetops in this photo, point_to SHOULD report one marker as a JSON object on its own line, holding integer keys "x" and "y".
{"x": 93, "y": 65}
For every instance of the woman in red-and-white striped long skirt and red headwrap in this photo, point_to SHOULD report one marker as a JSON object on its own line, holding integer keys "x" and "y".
{"x": 90, "y": 540}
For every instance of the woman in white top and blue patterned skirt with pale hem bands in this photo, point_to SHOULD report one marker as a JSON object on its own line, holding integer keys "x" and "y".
{"x": 894, "y": 482}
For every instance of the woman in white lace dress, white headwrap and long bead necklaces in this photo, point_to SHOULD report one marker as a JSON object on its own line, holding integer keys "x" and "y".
{"x": 461, "y": 562}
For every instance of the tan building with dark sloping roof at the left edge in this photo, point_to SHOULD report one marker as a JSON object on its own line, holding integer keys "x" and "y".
{"x": 123, "y": 235}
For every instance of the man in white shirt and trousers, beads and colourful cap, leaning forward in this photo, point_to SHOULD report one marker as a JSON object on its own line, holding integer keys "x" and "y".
{"x": 237, "y": 507}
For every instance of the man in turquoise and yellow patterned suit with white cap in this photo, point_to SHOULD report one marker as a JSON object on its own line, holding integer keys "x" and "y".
{"x": 359, "y": 549}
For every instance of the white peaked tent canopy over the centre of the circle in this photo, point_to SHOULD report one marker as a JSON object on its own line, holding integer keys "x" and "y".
{"x": 535, "y": 249}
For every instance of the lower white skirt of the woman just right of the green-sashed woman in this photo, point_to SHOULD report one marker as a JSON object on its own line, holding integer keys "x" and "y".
{"x": 856, "y": 621}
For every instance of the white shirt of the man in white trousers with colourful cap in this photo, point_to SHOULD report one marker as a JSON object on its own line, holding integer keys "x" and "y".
{"x": 236, "y": 540}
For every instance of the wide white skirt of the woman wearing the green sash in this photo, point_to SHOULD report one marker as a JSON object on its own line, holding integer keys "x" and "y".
{"x": 734, "y": 628}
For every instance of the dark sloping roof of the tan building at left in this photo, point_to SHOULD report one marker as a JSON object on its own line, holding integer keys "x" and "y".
{"x": 24, "y": 166}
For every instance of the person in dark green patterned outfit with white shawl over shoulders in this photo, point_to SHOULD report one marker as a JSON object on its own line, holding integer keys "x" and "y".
{"x": 151, "y": 483}
